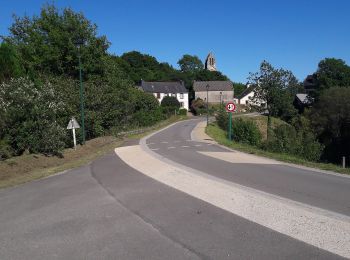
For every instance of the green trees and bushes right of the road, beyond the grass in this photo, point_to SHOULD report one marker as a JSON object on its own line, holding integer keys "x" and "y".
{"x": 318, "y": 130}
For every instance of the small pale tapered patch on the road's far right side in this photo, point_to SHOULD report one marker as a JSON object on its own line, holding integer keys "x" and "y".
{"x": 237, "y": 157}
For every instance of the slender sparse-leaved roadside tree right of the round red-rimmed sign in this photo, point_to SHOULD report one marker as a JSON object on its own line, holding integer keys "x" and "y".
{"x": 274, "y": 92}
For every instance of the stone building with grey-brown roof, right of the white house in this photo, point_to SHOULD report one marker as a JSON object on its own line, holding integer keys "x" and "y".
{"x": 217, "y": 91}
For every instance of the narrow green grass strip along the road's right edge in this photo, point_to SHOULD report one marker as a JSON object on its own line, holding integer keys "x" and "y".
{"x": 220, "y": 136}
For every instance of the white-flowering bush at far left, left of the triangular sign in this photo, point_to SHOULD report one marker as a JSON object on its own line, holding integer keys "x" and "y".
{"x": 30, "y": 117}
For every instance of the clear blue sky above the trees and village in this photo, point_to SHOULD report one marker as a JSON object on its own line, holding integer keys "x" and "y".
{"x": 294, "y": 35}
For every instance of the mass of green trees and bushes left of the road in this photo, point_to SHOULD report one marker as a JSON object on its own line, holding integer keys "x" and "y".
{"x": 39, "y": 83}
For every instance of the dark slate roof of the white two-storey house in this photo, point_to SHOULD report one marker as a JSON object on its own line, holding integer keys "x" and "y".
{"x": 163, "y": 87}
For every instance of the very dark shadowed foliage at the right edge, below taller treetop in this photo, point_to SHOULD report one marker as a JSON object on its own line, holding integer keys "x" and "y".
{"x": 330, "y": 118}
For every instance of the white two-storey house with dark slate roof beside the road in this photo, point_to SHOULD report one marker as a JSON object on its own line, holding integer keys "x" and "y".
{"x": 160, "y": 89}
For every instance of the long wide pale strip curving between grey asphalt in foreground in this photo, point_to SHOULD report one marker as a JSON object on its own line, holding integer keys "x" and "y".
{"x": 317, "y": 227}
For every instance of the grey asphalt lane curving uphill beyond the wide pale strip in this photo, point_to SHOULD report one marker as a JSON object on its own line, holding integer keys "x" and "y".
{"x": 330, "y": 192}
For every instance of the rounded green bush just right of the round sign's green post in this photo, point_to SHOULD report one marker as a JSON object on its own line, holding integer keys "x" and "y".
{"x": 245, "y": 131}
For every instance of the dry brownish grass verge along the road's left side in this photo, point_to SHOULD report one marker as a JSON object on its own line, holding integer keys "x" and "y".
{"x": 28, "y": 167}
